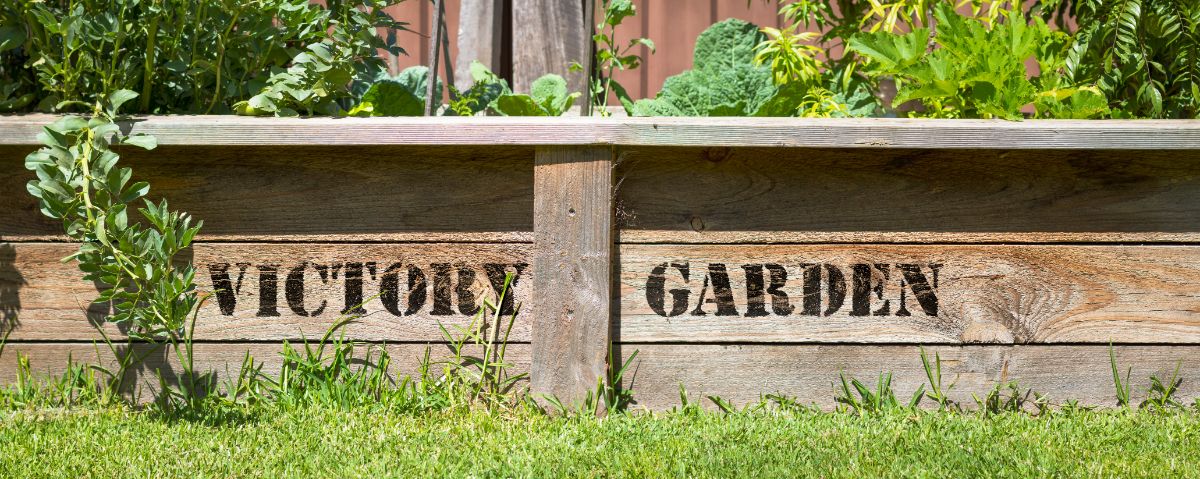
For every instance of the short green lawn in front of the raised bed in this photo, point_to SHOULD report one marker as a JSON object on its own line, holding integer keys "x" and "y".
{"x": 283, "y": 442}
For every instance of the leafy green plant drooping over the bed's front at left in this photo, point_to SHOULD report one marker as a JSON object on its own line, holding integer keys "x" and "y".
{"x": 80, "y": 184}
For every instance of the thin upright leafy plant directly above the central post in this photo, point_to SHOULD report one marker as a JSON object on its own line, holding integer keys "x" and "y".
{"x": 613, "y": 57}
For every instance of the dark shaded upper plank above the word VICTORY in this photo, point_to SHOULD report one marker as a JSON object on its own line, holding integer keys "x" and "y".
{"x": 316, "y": 194}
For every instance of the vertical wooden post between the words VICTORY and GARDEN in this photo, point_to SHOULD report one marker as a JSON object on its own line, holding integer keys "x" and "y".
{"x": 573, "y": 260}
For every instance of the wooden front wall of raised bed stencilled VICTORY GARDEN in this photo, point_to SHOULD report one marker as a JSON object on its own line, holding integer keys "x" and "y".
{"x": 737, "y": 256}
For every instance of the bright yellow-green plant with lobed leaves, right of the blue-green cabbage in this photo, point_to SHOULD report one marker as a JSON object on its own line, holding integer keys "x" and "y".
{"x": 979, "y": 71}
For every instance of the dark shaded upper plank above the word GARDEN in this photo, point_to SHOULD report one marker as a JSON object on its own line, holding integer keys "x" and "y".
{"x": 721, "y": 195}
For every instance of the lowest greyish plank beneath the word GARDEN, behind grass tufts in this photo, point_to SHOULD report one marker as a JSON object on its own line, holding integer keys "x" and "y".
{"x": 742, "y": 374}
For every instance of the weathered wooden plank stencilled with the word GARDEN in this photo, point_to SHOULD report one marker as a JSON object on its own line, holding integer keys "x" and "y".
{"x": 909, "y": 294}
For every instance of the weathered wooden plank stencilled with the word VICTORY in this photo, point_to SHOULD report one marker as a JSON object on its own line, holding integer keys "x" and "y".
{"x": 266, "y": 292}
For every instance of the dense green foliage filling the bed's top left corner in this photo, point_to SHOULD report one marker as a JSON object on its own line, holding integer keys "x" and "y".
{"x": 259, "y": 57}
